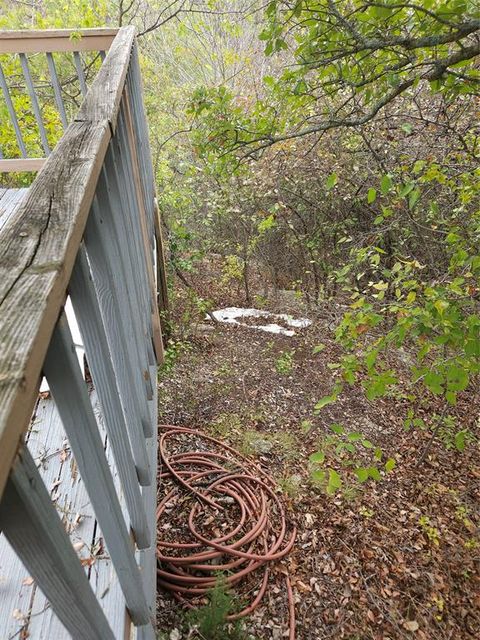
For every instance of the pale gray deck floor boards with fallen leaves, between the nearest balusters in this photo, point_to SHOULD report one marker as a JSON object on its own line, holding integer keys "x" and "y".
{"x": 23, "y": 607}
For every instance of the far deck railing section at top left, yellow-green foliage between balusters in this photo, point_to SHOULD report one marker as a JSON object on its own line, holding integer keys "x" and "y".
{"x": 31, "y": 82}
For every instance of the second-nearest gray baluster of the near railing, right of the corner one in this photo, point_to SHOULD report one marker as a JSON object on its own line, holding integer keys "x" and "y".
{"x": 71, "y": 397}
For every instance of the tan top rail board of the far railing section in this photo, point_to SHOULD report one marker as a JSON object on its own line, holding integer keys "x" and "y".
{"x": 52, "y": 40}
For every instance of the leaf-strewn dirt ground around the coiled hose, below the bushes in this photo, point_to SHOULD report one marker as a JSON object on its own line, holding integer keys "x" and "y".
{"x": 389, "y": 559}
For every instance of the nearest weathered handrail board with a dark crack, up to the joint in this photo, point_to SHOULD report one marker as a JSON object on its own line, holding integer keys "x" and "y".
{"x": 38, "y": 247}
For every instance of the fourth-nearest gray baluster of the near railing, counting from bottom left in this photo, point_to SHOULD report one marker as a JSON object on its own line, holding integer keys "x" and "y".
{"x": 97, "y": 243}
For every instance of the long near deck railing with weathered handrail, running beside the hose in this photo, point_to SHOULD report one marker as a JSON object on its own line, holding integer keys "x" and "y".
{"x": 88, "y": 227}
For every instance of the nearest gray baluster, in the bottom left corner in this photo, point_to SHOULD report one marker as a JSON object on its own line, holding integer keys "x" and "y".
{"x": 33, "y": 528}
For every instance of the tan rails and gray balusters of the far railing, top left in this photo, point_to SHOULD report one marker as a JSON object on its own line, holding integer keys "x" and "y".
{"x": 19, "y": 45}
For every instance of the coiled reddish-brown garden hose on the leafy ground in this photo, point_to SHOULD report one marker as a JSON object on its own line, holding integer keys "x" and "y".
{"x": 232, "y": 520}
